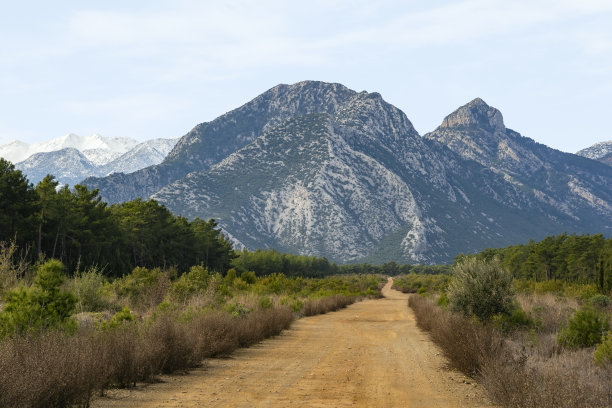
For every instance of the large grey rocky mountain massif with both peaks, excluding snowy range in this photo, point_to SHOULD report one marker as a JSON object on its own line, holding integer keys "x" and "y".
{"x": 317, "y": 168}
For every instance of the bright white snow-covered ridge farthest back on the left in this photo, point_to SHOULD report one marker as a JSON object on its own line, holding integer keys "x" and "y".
{"x": 98, "y": 149}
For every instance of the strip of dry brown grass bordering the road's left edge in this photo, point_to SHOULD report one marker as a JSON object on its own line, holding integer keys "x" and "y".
{"x": 56, "y": 370}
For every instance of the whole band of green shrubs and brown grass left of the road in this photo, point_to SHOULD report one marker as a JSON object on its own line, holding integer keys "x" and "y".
{"x": 65, "y": 339}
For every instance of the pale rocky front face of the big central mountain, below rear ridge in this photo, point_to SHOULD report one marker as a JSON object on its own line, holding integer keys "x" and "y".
{"x": 361, "y": 184}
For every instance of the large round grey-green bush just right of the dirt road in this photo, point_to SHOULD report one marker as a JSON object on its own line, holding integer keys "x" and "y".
{"x": 480, "y": 288}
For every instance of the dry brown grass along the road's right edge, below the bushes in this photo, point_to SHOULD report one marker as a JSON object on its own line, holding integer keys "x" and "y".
{"x": 523, "y": 370}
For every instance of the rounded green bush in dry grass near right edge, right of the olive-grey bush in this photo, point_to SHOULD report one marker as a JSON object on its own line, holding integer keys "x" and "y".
{"x": 584, "y": 329}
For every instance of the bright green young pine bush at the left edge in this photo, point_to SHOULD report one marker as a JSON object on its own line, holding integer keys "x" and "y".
{"x": 43, "y": 306}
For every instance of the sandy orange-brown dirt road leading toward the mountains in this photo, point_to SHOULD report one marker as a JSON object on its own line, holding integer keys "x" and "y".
{"x": 370, "y": 354}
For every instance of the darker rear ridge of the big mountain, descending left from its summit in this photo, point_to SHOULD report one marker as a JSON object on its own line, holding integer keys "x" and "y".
{"x": 210, "y": 142}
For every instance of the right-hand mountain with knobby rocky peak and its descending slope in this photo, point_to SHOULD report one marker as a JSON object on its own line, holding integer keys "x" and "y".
{"x": 579, "y": 188}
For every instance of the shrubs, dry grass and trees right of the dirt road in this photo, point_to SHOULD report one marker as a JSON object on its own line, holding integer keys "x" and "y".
{"x": 533, "y": 340}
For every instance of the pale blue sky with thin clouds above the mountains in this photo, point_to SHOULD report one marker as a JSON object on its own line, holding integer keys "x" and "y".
{"x": 149, "y": 69}
